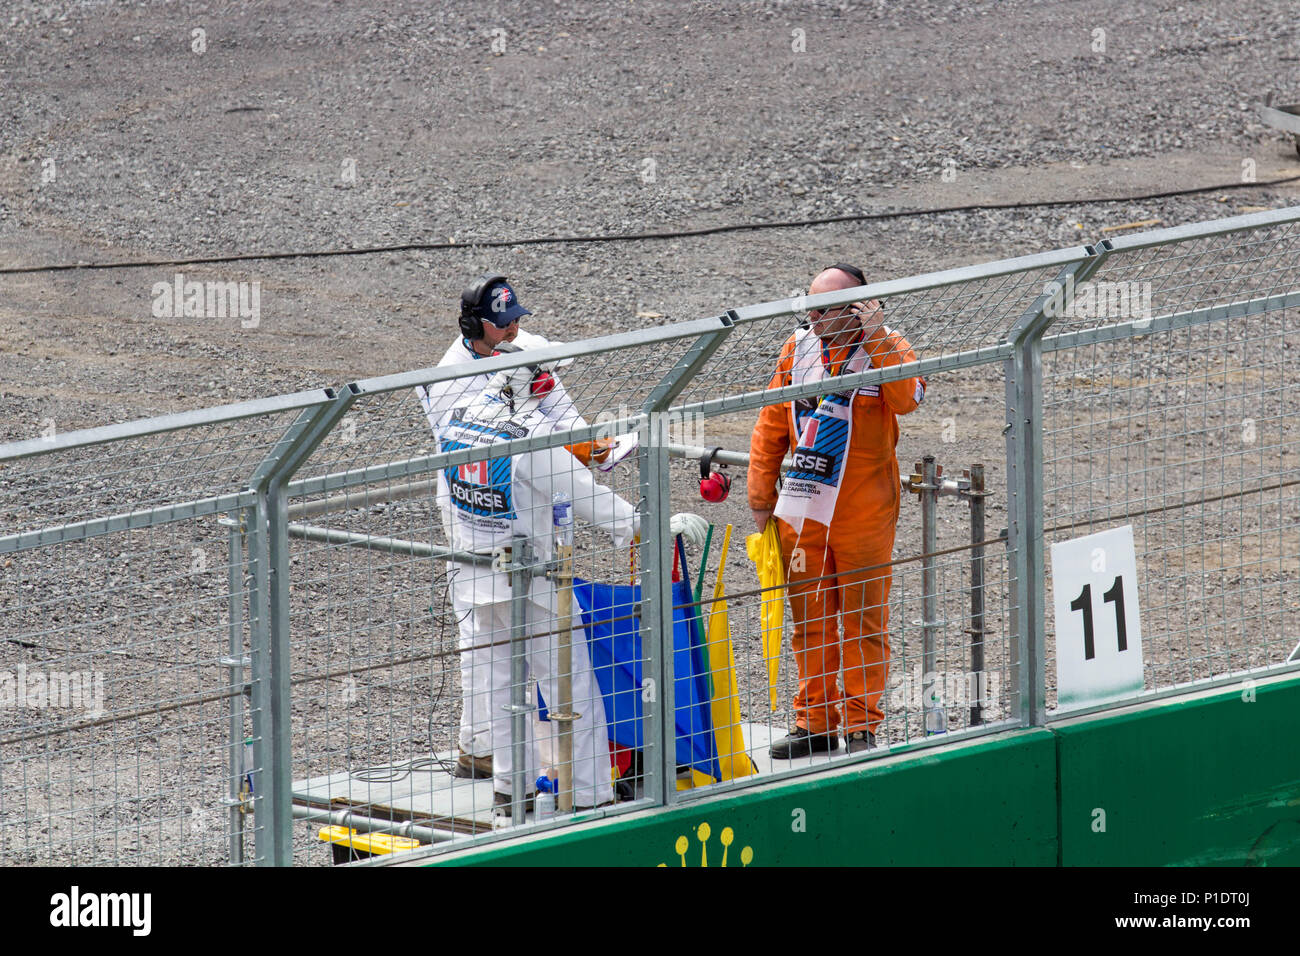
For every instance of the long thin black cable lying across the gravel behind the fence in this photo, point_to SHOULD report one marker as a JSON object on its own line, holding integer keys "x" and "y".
{"x": 634, "y": 237}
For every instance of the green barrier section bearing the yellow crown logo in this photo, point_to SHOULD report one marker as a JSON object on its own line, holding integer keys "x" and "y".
{"x": 904, "y": 812}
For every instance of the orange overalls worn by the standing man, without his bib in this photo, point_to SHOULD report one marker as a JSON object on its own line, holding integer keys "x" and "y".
{"x": 859, "y": 540}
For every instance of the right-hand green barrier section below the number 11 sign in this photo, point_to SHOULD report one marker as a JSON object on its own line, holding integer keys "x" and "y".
{"x": 1203, "y": 781}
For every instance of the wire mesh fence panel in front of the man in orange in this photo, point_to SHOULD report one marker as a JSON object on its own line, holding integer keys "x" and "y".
{"x": 866, "y": 633}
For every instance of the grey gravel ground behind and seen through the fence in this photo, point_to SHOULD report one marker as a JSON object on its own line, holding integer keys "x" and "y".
{"x": 345, "y": 126}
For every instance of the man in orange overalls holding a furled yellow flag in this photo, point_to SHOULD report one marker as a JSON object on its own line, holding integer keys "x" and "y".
{"x": 837, "y": 513}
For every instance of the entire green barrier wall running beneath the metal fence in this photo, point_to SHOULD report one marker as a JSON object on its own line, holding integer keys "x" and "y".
{"x": 1212, "y": 778}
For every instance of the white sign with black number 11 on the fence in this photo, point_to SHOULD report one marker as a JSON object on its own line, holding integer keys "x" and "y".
{"x": 1099, "y": 629}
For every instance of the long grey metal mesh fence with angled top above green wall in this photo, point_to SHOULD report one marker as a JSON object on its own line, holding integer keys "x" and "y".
{"x": 223, "y": 622}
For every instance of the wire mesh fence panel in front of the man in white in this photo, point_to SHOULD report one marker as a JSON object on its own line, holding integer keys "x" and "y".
{"x": 404, "y": 609}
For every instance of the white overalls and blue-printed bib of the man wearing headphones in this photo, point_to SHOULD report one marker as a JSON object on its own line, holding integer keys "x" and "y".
{"x": 488, "y": 504}
